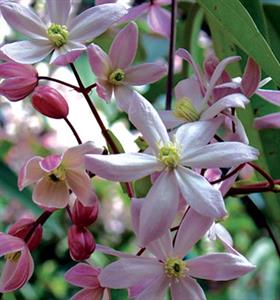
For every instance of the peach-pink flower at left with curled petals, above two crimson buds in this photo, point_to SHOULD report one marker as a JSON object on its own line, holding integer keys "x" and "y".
{"x": 54, "y": 175}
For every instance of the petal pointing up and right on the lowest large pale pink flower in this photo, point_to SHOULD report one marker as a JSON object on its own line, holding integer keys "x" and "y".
{"x": 191, "y": 230}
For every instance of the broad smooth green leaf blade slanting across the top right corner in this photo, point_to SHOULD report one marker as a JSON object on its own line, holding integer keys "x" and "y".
{"x": 237, "y": 23}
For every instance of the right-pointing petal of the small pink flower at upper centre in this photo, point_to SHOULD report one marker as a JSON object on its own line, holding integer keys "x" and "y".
{"x": 144, "y": 73}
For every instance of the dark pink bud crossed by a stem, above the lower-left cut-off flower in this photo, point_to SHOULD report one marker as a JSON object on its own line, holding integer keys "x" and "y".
{"x": 22, "y": 228}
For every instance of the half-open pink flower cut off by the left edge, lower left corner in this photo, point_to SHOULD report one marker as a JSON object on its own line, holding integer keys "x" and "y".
{"x": 19, "y": 263}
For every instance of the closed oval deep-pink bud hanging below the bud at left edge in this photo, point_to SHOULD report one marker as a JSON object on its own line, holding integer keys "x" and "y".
{"x": 49, "y": 102}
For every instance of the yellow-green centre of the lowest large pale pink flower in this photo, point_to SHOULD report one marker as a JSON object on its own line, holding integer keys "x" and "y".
{"x": 175, "y": 268}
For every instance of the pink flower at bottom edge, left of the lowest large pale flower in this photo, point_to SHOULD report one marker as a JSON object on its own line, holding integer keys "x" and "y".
{"x": 85, "y": 276}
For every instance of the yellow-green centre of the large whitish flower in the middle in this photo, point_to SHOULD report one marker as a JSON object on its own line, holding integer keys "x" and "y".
{"x": 169, "y": 155}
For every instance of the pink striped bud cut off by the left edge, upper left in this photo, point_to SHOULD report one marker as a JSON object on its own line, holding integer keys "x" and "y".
{"x": 19, "y": 80}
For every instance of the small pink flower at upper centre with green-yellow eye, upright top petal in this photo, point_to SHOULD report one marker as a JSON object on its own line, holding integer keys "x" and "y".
{"x": 114, "y": 71}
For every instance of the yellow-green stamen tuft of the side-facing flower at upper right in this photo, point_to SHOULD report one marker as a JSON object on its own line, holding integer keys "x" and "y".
{"x": 184, "y": 109}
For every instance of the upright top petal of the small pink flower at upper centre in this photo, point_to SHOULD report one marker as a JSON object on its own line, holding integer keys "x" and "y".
{"x": 124, "y": 47}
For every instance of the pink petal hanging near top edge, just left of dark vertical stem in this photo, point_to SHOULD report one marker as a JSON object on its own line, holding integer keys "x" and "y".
{"x": 159, "y": 20}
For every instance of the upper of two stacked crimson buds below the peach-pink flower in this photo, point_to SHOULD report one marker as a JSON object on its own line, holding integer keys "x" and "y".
{"x": 84, "y": 215}
